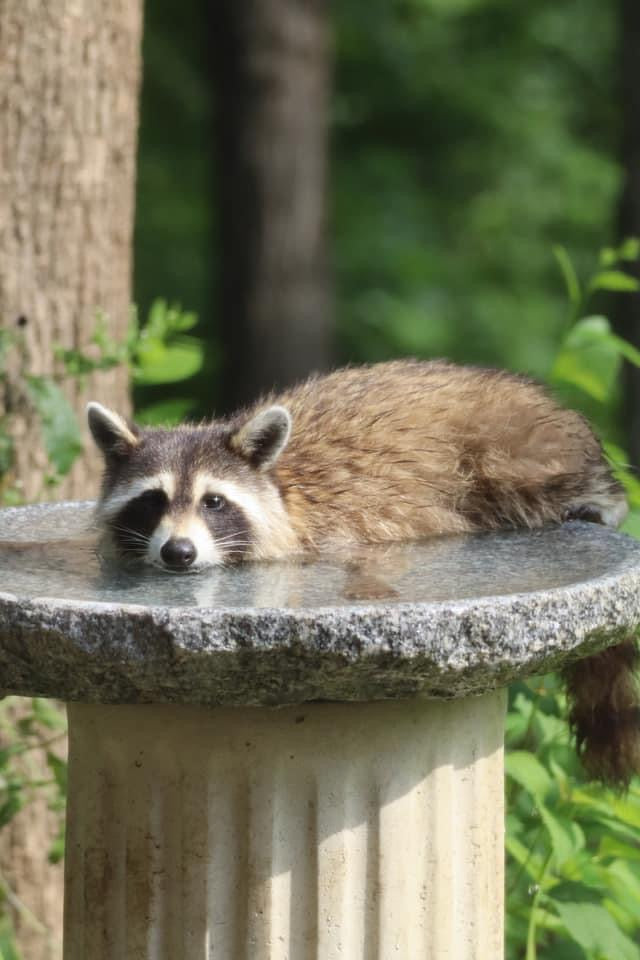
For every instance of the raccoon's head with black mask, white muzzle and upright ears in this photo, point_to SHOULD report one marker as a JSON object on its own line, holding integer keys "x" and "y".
{"x": 193, "y": 496}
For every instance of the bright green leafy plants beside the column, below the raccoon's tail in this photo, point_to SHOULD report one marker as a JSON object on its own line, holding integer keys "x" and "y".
{"x": 573, "y": 867}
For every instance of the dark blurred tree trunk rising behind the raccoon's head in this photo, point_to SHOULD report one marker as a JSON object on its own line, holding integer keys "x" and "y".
{"x": 273, "y": 69}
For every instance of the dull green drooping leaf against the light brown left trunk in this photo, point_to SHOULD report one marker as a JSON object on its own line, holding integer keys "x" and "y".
{"x": 60, "y": 430}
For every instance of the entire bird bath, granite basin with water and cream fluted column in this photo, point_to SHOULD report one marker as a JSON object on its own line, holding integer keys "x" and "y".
{"x": 295, "y": 760}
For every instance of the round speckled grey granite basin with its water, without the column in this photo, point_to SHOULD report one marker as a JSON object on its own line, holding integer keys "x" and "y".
{"x": 445, "y": 618}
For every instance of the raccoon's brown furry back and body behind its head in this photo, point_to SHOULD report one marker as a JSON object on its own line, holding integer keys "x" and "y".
{"x": 407, "y": 449}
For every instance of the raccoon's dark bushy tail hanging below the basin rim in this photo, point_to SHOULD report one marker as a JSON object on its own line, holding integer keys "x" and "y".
{"x": 605, "y": 713}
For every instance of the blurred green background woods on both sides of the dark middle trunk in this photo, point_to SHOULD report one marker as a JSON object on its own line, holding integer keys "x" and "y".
{"x": 468, "y": 138}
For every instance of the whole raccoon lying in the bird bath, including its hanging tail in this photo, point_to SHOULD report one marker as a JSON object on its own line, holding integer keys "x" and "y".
{"x": 393, "y": 451}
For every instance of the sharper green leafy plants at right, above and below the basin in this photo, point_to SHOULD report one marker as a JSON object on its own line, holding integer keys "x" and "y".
{"x": 573, "y": 866}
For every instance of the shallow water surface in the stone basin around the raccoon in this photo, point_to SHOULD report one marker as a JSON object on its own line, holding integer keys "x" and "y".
{"x": 51, "y": 551}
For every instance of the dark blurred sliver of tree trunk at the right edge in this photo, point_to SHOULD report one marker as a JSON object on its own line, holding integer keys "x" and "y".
{"x": 627, "y": 305}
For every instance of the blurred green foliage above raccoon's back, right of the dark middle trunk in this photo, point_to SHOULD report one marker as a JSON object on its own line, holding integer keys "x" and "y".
{"x": 469, "y": 135}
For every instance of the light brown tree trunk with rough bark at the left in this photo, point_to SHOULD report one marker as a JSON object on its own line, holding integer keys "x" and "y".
{"x": 69, "y": 76}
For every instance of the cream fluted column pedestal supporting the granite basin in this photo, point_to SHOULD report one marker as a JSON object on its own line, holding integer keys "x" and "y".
{"x": 360, "y": 831}
